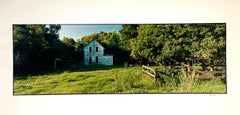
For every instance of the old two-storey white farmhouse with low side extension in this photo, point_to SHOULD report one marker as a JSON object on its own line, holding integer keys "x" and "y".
{"x": 94, "y": 54}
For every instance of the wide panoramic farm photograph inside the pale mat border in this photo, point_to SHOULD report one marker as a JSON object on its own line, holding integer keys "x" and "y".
{"x": 59, "y": 59}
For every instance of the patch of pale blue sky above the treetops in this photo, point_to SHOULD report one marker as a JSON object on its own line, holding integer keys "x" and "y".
{"x": 78, "y": 31}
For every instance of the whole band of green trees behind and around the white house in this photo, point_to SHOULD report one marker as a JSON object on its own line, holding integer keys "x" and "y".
{"x": 38, "y": 47}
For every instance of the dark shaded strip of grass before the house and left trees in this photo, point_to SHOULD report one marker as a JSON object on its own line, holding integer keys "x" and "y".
{"x": 71, "y": 68}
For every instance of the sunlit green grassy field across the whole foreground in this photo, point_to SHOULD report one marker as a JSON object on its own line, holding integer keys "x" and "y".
{"x": 110, "y": 80}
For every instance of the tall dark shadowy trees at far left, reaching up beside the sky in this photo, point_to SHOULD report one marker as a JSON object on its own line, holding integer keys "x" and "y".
{"x": 31, "y": 44}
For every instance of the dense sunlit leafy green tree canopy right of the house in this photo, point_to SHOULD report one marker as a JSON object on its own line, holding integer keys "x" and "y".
{"x": 171, "y": 44}
